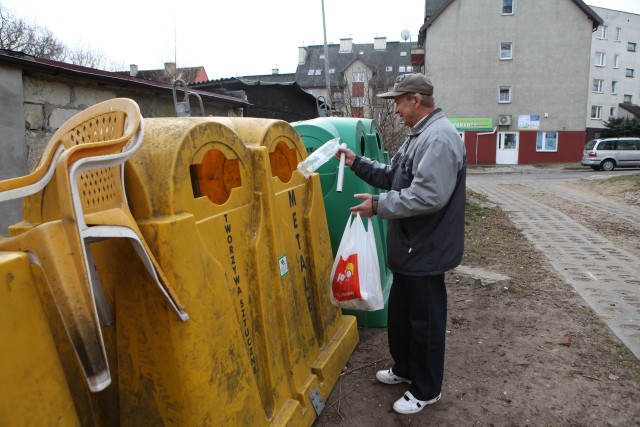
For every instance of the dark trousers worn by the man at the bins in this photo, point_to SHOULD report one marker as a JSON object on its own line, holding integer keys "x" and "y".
{"x": 417, "y": 328}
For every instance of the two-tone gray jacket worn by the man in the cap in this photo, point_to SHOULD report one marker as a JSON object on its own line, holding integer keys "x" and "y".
{"x": 425, "y": 203}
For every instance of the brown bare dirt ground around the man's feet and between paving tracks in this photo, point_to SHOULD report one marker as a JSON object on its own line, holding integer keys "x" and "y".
{"x": 523, "y": 351}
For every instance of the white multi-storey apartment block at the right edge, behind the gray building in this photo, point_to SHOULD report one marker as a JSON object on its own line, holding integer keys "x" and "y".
{"x": 614, "y": 72}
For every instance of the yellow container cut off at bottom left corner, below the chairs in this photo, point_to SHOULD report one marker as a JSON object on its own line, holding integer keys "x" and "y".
{"x": 33, "y": 387}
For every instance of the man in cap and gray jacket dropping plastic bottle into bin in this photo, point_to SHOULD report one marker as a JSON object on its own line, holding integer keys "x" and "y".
{"x": 425, "y": 207}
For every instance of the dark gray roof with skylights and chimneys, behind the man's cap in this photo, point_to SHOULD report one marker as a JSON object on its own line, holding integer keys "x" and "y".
{"x": 376, "y": 59}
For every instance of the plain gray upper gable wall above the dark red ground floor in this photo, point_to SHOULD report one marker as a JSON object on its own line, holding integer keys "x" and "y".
{"x": 548, "y": 73}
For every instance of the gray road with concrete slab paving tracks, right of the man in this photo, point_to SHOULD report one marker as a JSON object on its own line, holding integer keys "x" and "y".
{"x": 606, "y": 276}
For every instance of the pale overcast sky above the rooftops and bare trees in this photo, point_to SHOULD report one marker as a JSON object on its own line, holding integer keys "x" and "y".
{"x": 229, "y": 38}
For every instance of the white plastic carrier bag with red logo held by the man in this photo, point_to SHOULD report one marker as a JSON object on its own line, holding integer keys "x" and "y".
{"x": 355, "y": 277}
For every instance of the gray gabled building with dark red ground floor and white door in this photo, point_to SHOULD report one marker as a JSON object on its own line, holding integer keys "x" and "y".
{"x": 512, "y": 75}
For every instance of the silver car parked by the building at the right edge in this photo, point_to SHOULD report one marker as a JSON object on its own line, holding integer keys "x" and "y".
{"x": 609, "y": 153}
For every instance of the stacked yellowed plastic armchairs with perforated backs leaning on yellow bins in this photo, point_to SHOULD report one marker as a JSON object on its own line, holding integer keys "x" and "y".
{"x": 87, "y": 153}
